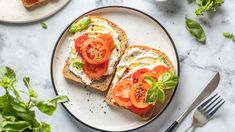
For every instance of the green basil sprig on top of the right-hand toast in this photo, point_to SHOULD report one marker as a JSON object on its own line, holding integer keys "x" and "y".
{"x": 156, "y": 92}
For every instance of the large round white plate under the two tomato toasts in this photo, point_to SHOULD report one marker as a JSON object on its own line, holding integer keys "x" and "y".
{"x": 88, "y": 106}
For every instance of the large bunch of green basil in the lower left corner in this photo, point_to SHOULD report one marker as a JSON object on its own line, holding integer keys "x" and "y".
{"x": 18, "y": 115}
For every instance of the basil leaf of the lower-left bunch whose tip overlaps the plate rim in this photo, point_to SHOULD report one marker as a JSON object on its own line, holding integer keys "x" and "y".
{"x": 48, "y": 107}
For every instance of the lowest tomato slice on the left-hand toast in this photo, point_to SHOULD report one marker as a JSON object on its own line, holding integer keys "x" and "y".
{"x": 95, "y": 71}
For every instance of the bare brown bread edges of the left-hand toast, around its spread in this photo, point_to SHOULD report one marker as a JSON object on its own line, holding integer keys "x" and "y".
{"x": 103, "y": 83}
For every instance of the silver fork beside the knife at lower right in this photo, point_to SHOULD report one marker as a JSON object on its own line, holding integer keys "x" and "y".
{"x": 205, "y": 111}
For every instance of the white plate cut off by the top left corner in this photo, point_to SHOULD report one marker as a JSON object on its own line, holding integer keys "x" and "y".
{"x": 13, "y": 11}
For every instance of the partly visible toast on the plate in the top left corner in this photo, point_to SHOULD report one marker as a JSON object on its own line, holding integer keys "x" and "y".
{"x": 32, "y": 4}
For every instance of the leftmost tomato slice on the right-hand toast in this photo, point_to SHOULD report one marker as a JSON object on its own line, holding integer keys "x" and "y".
{"x": 121, "y": 93}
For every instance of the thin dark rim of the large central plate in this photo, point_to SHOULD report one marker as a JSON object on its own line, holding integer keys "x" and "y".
{"x": 133, "y": 9}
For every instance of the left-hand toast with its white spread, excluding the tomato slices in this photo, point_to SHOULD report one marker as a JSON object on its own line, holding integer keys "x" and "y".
{"x": 103, "y": 82}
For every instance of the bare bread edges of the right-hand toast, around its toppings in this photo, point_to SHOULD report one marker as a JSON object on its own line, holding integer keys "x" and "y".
{"x": 110, "y": 100}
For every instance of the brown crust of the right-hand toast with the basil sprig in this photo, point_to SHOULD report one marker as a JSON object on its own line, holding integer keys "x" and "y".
{"x": 167, "y": 61}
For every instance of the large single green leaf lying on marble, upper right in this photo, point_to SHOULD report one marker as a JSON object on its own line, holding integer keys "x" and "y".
{"x": 195, "y": 30}
